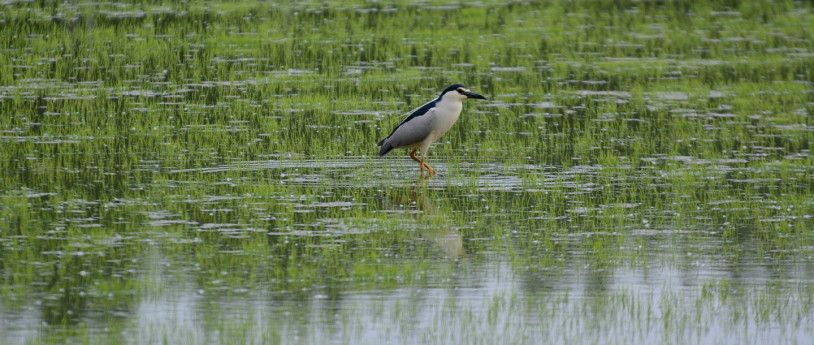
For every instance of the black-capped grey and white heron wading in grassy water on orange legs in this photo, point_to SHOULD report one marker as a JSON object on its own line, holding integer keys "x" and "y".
{"x": 426, "y": 124}
